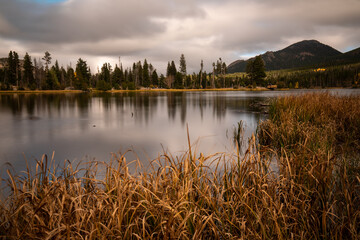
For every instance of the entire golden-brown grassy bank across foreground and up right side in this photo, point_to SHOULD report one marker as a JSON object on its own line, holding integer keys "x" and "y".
{"x": 315, "y": 195}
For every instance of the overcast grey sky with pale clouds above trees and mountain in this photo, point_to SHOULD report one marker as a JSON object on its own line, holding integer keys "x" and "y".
{"x": 101, "y": 31}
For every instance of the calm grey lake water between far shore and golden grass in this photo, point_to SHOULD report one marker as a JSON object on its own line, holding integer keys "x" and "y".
{"x": 87, "y": 126}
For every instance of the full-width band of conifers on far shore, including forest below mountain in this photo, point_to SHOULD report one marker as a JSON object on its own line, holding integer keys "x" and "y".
{"x": 39, "y": 74}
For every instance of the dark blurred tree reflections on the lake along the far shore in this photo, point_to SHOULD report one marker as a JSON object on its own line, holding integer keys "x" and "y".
{"x": 142, "y": 106}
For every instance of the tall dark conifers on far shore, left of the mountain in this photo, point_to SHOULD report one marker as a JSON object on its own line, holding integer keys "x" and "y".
{"x": 39, "y": 74}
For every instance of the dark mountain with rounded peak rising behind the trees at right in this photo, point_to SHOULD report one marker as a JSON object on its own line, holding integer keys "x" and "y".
{"x": 307, "y": 53}
